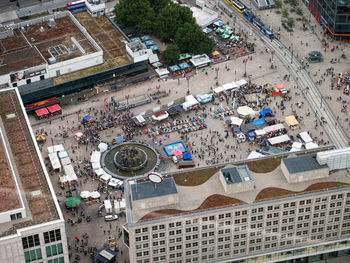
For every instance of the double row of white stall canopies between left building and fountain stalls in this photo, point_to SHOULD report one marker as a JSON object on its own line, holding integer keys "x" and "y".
{"x": 59, "y": 159}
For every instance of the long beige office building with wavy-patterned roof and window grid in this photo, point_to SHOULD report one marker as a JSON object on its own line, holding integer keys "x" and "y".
{"x": 290, "y": 207}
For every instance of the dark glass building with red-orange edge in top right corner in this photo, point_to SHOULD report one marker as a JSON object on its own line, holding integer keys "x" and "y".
{"x": 333, "y": 15}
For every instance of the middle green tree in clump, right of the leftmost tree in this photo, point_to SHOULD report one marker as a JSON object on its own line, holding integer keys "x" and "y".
{"x": 170, "y": 18}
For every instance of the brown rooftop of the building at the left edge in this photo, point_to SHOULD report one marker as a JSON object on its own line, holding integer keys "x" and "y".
{"x": 30, "y": 173}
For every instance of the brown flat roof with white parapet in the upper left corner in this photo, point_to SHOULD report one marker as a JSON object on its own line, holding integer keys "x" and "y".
{"x": 37, "y": 43}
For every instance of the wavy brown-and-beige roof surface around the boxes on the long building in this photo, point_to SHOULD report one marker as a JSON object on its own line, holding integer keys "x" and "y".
{"x": 208, "y": 194}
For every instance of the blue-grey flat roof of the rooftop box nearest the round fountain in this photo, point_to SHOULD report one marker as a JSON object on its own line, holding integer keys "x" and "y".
{"x": 148, "y": 189}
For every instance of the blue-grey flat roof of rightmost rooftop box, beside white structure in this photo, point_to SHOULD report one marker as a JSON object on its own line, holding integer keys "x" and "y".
{"x": 304, "y": 163}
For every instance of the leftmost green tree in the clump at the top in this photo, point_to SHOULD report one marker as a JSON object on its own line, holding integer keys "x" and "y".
{"x": 138, "y": 13}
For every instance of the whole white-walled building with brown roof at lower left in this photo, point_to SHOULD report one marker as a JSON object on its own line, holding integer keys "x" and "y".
{"x": 31, "y": 224}
